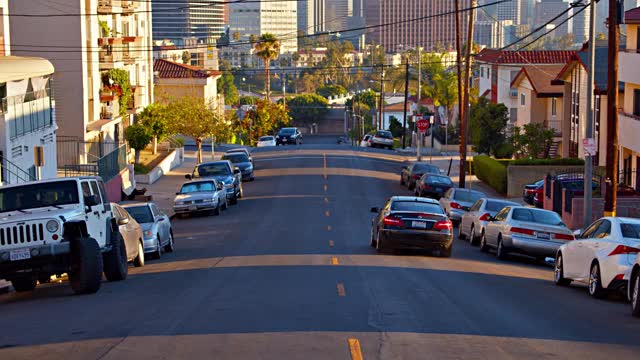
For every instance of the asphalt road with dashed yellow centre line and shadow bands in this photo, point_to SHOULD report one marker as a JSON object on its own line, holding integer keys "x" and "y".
{"x": 288, "y": 274}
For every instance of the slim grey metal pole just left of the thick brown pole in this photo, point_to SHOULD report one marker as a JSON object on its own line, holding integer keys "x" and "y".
{"x": 588, "y": 162}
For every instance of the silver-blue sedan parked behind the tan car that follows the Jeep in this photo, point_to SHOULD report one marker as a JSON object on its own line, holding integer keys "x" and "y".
{"x": 156, "y": 227}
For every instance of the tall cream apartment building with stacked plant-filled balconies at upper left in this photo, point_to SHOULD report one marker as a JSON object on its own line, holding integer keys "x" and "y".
{"x": 84, "y": 50}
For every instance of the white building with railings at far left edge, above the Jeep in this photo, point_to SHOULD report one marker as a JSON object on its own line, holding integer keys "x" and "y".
{"x": 27, "y": 117}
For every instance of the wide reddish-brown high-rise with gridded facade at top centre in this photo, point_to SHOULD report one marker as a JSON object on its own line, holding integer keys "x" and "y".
{"x": 433, "y": 31}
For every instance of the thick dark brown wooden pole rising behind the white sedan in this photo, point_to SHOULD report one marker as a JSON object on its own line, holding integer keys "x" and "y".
{"x": 612, "y": 113}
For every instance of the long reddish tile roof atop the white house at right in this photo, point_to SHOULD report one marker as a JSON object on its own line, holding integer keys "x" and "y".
{"x": 524, "y": 57}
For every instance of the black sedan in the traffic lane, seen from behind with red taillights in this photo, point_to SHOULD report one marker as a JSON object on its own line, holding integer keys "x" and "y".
{"x": 411, "y": 223}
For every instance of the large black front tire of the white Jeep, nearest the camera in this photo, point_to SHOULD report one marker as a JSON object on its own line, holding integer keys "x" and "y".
{"x": 85, "y": 275}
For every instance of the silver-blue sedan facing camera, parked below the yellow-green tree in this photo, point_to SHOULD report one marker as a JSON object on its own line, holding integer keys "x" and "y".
{"x": 199, "y": 196}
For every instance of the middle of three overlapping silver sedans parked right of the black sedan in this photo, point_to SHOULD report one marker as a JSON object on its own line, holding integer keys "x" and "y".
{"x": 473, "y": 222}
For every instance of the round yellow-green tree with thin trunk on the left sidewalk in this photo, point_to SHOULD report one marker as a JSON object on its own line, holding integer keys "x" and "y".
{"x": 195, "y": 118}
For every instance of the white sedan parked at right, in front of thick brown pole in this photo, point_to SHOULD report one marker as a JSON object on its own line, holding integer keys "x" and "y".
{"x": 601, "y": 257}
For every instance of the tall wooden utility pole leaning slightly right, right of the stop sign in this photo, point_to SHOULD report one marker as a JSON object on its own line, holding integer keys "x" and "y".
{"x": 464, "y": 125}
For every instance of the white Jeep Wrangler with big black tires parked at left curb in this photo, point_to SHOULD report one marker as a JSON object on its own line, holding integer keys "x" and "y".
{"x": 57, "y": 226}
